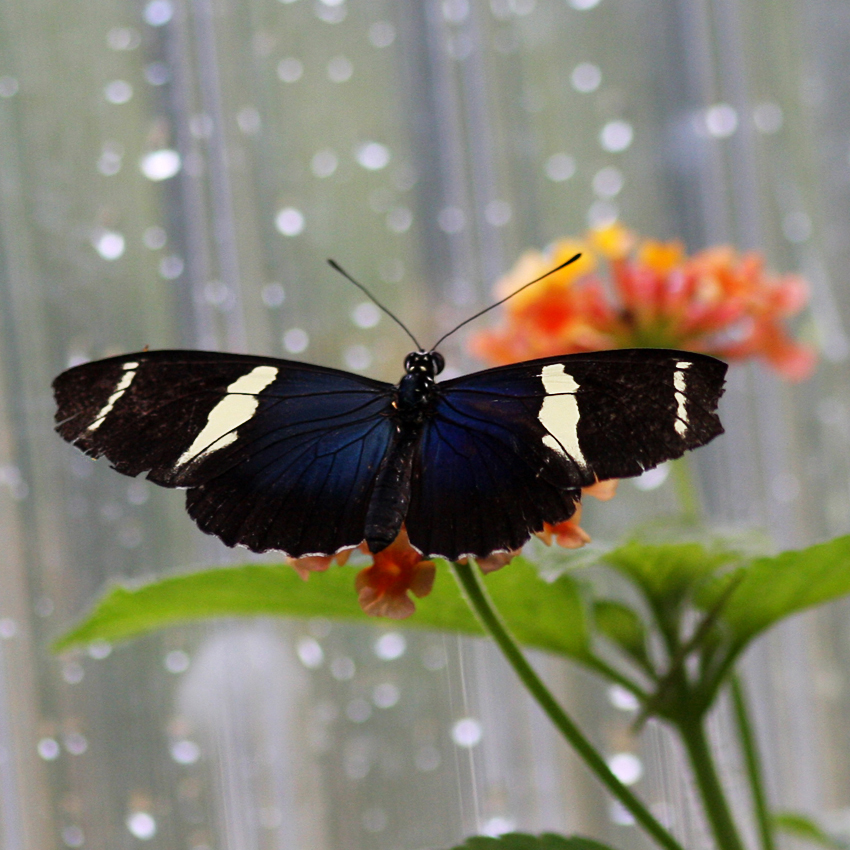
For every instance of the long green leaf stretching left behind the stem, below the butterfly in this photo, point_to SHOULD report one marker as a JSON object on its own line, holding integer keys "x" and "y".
{"x": 545, "y": 615}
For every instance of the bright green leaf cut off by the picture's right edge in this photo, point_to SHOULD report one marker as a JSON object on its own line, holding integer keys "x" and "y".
{"x": 773, "y": 588}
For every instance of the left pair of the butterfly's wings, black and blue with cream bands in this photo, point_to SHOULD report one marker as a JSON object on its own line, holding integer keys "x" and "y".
{"x": 276, "y": 454}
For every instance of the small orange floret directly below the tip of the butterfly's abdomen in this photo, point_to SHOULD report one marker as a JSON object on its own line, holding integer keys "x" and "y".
{"x": 383, "y": 588}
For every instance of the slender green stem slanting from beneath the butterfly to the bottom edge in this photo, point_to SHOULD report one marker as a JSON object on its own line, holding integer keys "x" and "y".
{"x": 492, "y": 623}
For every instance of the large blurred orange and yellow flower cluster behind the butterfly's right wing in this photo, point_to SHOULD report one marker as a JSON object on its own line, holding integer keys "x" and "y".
{"x": 654, "y": 295}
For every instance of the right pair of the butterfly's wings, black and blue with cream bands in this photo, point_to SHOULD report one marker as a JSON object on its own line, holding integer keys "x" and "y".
{"x": 509, "y": 448}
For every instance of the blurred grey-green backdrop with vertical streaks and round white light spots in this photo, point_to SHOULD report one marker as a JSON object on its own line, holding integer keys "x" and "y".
{"x": 174, "y": 173}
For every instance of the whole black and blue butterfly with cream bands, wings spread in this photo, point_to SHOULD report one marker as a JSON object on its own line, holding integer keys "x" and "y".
{"x": 277, "y": 454}
